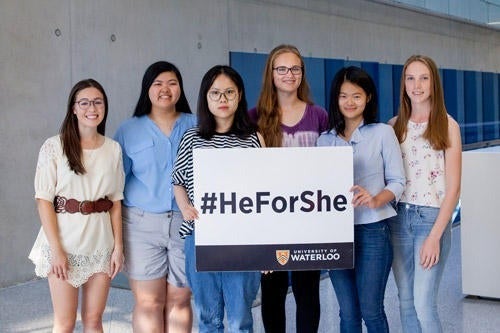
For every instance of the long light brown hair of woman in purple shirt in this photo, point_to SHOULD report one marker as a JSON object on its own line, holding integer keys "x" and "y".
{"x": 267, "y": 106}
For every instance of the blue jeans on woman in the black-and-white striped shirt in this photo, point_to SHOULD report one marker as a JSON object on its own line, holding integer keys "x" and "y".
{"x": 214, "y": 291}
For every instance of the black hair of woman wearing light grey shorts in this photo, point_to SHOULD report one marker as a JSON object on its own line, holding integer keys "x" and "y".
{"x": 143, "y": 106}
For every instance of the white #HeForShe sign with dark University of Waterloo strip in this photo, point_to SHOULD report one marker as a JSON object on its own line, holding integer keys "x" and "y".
{"x": 273, "y": 208}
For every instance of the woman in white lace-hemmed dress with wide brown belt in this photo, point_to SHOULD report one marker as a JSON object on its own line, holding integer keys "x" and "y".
{"x": 78, "y": 187}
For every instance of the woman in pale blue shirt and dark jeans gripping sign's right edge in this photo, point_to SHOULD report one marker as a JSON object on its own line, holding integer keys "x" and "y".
{"x": 378, "y": 179}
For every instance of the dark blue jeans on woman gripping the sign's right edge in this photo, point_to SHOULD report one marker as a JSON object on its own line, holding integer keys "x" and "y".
{"x": 360, "y": 291}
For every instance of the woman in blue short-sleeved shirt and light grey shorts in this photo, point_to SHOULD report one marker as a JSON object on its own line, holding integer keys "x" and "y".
{"x": 154, "y": 251}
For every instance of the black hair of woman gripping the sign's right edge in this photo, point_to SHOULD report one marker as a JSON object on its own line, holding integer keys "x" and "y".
{"x": 359, "y": 77}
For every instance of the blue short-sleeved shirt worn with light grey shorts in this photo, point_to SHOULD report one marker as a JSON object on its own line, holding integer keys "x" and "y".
{"x": 148, "y": 159}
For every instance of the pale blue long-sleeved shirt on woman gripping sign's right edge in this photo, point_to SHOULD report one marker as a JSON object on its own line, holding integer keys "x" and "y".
{"x": 378, "y": 165}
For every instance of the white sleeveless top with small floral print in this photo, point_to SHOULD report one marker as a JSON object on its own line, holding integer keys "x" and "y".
{"x": 424, "y": 169}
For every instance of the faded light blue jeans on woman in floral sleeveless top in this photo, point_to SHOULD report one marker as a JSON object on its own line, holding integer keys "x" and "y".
{"x": 417, "y": 287}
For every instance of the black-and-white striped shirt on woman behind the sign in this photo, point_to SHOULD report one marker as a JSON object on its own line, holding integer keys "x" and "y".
{"x": 182, "y": 173}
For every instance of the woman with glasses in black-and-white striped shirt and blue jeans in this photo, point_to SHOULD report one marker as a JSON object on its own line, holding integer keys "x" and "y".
{"x": 222, "y": 123}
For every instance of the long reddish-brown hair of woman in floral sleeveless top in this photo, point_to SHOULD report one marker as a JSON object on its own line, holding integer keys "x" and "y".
{"x": 437, "y": 126}
